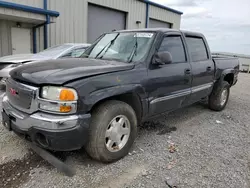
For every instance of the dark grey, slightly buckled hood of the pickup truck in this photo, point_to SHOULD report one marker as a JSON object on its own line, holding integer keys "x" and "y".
{"x": 58, "y": 72}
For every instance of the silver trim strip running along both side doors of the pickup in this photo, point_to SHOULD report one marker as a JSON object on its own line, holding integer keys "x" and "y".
{"x": 184, "y": 93}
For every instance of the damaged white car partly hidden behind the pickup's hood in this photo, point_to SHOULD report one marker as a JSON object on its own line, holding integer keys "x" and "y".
{"x": 8, "y": 63}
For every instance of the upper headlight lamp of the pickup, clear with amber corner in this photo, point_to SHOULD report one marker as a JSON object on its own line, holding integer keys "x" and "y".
{"x": 58, "y": 93}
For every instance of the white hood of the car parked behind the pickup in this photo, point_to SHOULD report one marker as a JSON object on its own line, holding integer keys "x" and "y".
{"x": 21, "y": 58}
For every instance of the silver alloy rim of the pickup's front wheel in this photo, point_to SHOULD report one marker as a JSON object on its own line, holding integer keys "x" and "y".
{"x": 117, "y": 133}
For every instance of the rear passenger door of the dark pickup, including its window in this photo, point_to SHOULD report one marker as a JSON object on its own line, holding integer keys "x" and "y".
{"x": 202, "y": 67}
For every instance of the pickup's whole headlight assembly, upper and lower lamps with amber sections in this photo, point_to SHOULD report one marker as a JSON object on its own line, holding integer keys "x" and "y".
{"x": 58, "y": 99}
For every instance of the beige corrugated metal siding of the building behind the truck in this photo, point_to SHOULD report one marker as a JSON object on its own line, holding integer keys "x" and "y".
{"x": 71, "y": 25}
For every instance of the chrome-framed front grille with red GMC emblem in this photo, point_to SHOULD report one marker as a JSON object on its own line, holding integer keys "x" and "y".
{"x": 21, "y": 96}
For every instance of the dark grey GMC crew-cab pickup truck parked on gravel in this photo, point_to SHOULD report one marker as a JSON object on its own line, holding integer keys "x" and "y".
{"x": 123, "y": 79}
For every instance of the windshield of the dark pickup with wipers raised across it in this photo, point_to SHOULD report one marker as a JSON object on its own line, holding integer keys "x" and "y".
{"x": 124, "y": 47}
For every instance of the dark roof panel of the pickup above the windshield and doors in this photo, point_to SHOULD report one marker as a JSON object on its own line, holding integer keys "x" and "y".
{"x": 163, "y": 30}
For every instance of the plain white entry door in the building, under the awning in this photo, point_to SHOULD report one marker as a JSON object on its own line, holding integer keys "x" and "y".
{"x": 21, "y": 40}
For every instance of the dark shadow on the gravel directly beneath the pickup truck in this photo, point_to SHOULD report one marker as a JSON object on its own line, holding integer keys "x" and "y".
{"x": 164, "y": 124}
